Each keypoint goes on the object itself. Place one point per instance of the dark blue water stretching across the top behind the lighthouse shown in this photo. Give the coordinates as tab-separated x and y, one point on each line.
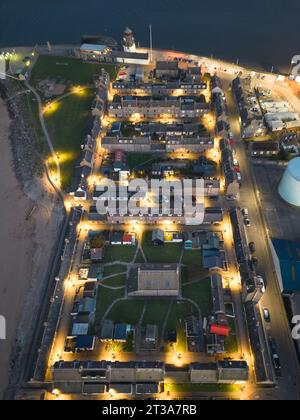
262	32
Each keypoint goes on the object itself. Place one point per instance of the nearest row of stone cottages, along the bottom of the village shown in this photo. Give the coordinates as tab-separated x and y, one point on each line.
69	376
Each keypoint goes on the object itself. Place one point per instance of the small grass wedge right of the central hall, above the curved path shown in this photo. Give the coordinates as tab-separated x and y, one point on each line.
200	293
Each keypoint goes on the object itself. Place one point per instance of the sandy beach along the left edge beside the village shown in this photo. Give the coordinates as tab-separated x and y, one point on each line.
29	226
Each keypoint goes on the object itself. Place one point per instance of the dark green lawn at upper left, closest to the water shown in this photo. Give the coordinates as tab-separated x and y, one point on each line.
68	70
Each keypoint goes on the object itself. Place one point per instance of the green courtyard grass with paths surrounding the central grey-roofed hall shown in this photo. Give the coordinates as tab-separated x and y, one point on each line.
167	314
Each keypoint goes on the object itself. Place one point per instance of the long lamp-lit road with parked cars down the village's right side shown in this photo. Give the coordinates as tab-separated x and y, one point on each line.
279	329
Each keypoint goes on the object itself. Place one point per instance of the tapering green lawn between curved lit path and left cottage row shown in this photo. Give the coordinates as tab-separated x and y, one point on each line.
67	127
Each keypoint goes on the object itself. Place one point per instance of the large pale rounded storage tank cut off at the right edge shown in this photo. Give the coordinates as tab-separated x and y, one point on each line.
289	187
